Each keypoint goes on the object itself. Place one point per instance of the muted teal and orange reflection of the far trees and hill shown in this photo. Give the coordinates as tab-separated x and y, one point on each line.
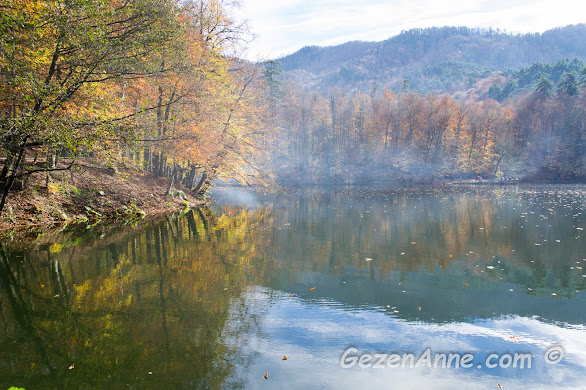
458	251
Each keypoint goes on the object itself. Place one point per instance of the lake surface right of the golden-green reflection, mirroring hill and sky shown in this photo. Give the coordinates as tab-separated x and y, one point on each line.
487	265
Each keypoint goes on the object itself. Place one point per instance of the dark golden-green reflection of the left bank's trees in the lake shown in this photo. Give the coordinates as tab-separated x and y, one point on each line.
145	307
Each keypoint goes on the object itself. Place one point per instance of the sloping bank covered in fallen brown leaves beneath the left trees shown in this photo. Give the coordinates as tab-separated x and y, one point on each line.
90	193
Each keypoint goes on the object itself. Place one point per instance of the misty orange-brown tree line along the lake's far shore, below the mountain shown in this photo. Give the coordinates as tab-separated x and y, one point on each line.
382	135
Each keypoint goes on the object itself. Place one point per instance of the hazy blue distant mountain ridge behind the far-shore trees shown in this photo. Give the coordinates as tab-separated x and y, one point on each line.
439	59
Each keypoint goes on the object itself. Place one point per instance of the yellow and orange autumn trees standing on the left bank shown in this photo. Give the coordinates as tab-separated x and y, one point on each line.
153	85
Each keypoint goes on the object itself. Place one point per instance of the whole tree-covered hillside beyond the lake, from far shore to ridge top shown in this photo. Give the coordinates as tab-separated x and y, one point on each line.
447	103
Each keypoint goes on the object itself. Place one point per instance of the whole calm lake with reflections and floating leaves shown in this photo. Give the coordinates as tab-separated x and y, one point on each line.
338	288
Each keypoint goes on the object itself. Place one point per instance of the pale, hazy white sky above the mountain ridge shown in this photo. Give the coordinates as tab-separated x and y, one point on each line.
284	26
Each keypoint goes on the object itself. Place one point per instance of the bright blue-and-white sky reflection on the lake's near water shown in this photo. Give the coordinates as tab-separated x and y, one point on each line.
314	334
